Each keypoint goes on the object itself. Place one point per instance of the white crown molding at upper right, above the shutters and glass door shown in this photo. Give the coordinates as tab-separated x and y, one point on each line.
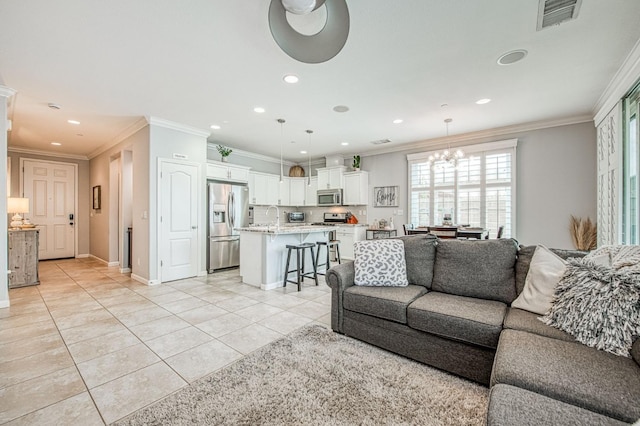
624	79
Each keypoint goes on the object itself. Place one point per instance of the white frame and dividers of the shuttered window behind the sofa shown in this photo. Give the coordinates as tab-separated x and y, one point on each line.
483	149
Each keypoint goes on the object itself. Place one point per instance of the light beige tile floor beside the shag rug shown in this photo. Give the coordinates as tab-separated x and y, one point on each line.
90	346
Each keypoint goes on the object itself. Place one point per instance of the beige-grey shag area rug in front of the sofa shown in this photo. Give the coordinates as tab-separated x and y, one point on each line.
317	377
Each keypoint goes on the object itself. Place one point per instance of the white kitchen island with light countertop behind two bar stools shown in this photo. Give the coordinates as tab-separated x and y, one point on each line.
263	252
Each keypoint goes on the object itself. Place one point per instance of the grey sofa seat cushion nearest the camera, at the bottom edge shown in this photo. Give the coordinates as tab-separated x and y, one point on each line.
509	405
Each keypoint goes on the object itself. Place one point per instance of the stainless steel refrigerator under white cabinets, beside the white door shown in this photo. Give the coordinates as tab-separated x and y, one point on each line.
228	208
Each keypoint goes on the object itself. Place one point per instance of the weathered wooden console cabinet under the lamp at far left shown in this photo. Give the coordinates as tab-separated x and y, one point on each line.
23	257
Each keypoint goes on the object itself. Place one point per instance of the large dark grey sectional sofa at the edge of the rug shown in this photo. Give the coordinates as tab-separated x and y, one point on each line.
455	315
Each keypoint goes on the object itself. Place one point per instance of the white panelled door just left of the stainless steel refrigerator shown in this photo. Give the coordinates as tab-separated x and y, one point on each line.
178	221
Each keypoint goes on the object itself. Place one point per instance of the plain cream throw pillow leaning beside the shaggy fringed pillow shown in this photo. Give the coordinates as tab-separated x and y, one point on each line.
544	274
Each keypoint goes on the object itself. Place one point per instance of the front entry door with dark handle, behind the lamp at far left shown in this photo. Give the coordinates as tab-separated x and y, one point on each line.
50	188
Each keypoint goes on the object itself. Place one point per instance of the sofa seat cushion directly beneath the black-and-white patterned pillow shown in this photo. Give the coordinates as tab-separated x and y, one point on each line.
383	302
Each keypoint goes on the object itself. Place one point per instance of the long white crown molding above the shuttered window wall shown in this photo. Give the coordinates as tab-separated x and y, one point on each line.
480	136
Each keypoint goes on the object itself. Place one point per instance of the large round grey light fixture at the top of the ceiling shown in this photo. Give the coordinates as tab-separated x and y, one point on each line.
310	49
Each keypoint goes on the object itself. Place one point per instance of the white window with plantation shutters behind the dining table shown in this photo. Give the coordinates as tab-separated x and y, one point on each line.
479	191
